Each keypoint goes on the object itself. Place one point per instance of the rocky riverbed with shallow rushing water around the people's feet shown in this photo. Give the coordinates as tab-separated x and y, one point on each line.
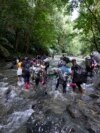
34	111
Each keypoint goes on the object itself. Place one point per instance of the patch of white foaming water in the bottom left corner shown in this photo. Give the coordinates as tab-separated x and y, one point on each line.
16	121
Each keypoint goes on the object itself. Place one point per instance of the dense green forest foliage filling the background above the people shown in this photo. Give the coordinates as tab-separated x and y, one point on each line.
41	26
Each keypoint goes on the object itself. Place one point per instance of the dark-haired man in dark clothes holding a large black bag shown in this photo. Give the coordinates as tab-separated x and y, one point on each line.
78	76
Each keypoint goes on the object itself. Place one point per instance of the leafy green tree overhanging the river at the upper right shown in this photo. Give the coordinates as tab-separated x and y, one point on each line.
88	23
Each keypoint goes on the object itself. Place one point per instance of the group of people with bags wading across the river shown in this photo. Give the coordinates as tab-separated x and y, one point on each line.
36	71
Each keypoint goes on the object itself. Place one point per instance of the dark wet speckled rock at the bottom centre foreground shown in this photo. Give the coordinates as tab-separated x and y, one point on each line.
53	124
